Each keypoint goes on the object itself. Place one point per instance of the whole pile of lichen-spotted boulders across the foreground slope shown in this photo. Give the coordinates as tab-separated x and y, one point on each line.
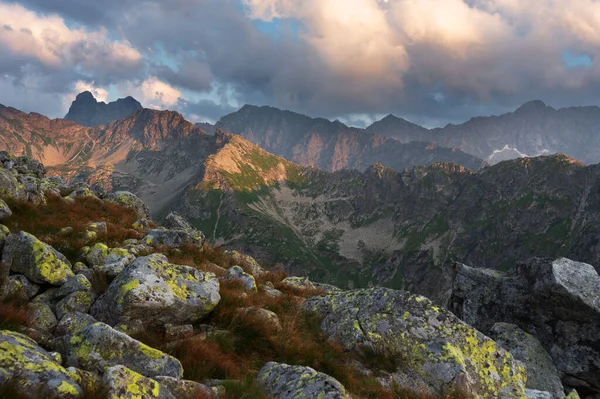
82	339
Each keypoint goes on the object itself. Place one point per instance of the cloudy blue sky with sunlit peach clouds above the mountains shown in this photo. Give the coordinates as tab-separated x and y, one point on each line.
432	62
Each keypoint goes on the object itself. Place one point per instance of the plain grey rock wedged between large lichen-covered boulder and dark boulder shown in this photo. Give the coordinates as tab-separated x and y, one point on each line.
541	372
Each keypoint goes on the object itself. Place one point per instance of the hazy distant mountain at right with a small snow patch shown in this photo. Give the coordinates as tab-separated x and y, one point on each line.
533	129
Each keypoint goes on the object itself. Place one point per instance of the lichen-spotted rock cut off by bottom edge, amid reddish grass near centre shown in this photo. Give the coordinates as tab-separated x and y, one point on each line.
282	381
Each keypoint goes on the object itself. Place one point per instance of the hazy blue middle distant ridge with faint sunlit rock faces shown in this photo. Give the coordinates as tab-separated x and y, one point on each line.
333	146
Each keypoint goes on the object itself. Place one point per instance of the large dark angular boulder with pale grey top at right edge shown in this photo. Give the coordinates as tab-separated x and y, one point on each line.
556	301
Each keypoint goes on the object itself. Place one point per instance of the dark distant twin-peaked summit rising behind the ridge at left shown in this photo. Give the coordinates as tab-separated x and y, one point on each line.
87	111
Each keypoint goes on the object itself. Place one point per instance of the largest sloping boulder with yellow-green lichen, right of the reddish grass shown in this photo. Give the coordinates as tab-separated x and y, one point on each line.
436	353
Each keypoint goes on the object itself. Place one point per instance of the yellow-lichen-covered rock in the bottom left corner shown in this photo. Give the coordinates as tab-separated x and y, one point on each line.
34	369
